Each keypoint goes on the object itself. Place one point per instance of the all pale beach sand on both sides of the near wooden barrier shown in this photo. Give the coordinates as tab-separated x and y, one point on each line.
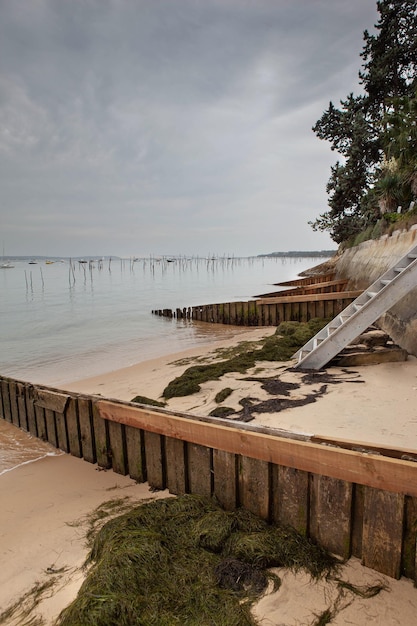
45	502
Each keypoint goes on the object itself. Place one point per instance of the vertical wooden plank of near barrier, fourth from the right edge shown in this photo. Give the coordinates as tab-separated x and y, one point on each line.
290	497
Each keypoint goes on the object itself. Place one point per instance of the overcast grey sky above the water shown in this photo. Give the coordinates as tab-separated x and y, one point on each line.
137	127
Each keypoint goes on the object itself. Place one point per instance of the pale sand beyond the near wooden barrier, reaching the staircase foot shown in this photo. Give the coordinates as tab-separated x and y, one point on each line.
369	404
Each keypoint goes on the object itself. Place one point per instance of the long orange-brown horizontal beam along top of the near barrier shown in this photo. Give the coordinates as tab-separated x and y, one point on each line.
395	475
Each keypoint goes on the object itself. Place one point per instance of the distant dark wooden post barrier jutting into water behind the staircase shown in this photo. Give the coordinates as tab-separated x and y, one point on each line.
268	311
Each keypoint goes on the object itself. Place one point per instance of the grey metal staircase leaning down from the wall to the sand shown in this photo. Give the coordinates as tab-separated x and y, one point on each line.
378	298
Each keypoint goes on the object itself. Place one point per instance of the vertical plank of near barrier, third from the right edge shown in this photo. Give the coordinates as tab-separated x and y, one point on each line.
330	514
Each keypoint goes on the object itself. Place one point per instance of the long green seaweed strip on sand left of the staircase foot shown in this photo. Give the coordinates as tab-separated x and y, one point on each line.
287	339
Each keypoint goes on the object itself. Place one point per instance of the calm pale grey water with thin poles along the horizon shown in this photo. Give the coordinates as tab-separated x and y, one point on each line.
60	322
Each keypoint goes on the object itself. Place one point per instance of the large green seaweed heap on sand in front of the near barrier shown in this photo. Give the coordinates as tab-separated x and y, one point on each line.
185	560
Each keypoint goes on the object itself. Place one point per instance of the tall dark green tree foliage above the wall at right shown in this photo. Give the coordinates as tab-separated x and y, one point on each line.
375	133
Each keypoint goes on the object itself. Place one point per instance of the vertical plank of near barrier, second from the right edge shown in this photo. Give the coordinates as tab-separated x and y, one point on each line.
383	531
